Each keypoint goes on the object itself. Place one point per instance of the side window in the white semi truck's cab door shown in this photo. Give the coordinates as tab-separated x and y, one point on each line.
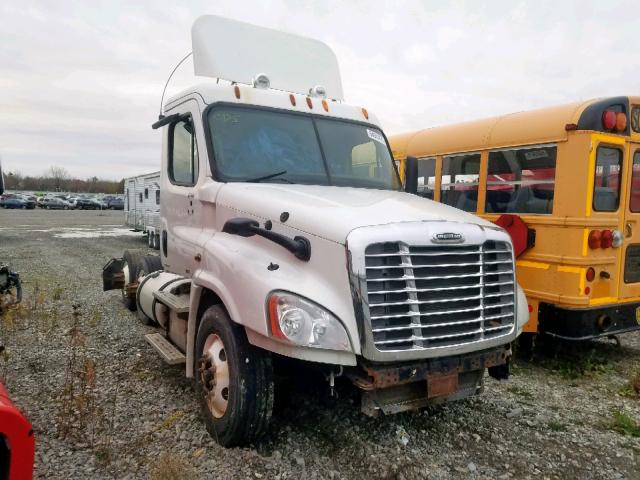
183	154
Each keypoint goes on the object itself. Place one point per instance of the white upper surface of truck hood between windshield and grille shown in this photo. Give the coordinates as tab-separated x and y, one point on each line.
333	212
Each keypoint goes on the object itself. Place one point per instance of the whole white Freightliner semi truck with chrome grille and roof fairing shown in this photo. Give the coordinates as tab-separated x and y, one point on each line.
285	232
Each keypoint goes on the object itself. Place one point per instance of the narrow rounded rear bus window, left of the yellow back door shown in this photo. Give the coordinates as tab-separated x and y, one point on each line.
606	187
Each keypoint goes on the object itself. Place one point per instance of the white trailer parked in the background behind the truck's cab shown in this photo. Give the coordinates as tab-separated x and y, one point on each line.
142	206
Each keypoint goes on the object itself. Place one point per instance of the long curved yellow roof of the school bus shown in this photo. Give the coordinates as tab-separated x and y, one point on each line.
521	128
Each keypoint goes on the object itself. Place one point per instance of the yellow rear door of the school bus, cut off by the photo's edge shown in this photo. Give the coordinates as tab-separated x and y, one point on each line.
630	271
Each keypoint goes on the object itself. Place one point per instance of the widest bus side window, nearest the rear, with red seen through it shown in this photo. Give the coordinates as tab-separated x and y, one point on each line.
521	180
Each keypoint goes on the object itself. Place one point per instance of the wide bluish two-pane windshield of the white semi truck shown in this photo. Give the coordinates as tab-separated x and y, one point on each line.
251	144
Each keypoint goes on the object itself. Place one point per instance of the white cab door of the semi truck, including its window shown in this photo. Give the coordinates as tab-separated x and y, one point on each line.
181	222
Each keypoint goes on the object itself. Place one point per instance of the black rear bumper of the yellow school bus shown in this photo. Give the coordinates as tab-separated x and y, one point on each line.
587	324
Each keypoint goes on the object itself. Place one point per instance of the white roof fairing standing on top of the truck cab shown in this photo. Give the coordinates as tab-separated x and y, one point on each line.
238	51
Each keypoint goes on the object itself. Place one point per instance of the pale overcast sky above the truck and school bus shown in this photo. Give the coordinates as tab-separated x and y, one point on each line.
80	82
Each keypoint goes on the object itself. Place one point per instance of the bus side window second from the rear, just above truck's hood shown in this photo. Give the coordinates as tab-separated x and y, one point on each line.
460	175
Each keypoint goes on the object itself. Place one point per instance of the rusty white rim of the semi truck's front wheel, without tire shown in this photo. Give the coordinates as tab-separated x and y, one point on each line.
214	375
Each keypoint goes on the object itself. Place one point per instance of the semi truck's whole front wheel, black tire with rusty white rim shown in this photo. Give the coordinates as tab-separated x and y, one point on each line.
234	380
